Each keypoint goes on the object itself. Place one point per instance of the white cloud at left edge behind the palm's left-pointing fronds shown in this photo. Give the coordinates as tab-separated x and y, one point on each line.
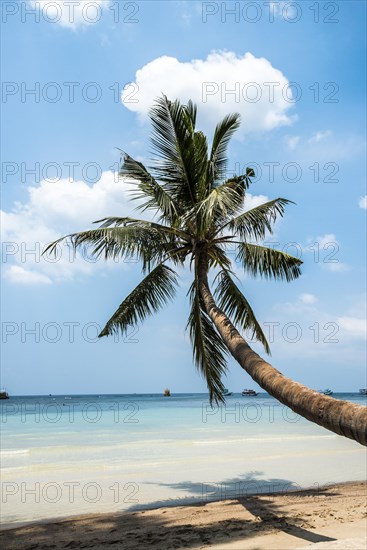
54	209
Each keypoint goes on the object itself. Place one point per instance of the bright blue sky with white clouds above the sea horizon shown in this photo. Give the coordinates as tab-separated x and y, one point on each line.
311	134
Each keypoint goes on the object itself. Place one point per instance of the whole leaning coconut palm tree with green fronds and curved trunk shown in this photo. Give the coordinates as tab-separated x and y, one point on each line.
197	217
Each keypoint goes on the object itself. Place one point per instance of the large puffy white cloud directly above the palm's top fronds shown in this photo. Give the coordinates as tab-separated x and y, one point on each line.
222	83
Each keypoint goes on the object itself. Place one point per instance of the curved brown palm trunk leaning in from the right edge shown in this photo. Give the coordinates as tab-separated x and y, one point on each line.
342	417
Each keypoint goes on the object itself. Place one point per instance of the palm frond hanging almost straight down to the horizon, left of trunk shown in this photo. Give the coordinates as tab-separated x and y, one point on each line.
209	351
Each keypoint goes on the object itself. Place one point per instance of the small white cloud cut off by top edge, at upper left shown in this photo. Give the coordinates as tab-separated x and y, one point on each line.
71	13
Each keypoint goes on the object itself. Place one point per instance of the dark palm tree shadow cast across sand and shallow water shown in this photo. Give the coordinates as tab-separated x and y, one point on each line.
252	510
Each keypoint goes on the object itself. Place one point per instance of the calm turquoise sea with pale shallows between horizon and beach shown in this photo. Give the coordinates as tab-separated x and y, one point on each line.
76	454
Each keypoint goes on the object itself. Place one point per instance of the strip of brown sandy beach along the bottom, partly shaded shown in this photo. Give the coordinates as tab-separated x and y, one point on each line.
331	517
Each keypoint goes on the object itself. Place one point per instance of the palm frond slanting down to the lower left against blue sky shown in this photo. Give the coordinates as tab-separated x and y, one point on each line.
154	291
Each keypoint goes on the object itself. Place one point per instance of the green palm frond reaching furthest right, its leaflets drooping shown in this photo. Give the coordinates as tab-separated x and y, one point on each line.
268	263
